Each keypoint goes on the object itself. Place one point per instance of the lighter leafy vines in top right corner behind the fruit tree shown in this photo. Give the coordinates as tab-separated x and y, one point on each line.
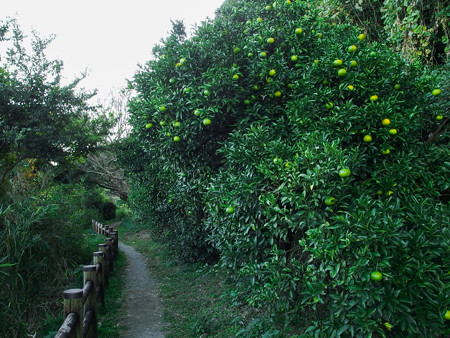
417	28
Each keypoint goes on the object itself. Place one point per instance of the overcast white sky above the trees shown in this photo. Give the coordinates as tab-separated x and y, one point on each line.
106	37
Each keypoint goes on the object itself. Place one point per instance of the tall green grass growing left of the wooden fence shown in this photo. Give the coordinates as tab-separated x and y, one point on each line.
41	242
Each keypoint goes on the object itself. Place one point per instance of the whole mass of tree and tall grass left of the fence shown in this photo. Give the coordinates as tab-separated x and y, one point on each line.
44	203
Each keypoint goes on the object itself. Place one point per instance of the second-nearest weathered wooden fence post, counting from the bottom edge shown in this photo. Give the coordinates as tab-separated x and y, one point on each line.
90	301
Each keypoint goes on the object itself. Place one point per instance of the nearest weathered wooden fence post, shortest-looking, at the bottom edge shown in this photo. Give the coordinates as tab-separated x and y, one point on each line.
73	314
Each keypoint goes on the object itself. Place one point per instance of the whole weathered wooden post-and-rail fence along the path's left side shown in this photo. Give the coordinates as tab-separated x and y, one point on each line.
80	305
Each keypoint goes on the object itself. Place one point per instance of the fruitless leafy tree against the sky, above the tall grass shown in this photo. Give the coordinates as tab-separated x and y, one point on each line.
39	117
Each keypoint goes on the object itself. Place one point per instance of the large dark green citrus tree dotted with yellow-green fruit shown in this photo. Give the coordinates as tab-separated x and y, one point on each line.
313	162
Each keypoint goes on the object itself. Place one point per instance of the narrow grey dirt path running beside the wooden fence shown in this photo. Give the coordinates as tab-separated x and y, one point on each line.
143	307
